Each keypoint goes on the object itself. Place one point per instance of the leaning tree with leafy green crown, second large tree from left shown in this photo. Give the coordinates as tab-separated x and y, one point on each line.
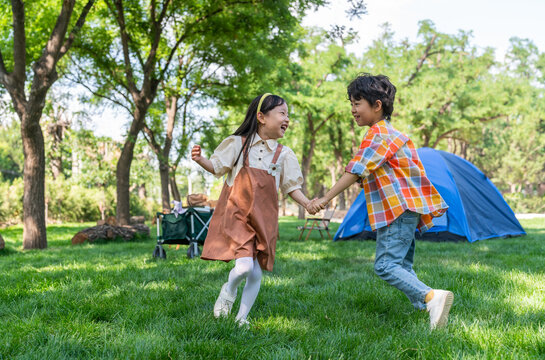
129	67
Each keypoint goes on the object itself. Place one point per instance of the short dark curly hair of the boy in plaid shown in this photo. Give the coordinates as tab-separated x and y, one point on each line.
373	88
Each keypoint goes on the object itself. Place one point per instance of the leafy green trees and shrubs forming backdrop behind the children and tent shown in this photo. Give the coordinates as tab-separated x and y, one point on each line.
188	77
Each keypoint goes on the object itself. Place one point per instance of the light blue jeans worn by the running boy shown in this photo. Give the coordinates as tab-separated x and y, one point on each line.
394	258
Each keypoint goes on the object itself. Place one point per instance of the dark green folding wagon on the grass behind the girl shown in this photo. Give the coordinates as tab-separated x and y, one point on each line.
188	227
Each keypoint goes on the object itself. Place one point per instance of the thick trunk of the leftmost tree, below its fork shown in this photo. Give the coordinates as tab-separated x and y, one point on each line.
34	230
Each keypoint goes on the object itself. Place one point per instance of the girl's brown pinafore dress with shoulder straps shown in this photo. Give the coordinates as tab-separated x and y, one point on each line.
245	221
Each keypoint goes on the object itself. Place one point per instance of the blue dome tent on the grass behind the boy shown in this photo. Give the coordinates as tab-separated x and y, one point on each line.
476	211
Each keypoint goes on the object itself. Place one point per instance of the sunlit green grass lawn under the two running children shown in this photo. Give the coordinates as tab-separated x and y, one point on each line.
112	300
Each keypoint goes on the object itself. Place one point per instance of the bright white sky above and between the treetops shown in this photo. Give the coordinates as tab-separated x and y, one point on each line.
493	23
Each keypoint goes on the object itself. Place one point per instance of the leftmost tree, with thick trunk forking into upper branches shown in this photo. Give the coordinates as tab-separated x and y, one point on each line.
15	66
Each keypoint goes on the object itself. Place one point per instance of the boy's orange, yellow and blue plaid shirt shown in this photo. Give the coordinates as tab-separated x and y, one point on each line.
394	179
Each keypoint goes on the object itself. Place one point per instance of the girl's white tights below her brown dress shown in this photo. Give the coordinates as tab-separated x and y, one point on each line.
249	269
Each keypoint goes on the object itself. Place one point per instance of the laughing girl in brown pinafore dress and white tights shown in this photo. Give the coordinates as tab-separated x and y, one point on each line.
244	225
